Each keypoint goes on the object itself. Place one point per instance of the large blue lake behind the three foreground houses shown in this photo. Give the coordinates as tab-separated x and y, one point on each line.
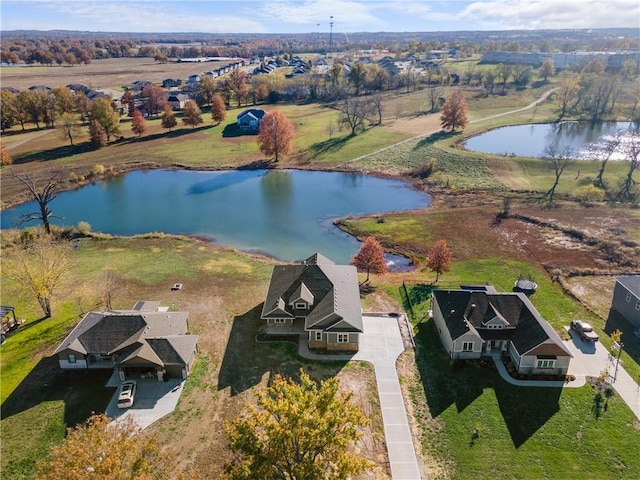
287	214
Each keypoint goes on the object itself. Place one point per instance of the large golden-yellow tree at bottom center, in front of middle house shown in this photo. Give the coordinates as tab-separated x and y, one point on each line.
297	431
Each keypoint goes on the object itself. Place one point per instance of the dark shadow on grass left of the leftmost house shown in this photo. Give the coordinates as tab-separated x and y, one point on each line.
83	392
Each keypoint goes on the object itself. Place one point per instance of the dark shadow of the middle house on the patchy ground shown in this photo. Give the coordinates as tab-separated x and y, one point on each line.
246	362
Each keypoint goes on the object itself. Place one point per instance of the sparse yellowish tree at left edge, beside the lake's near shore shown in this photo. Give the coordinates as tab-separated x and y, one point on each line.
37	264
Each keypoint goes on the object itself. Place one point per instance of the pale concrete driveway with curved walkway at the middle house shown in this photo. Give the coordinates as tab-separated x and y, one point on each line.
381	344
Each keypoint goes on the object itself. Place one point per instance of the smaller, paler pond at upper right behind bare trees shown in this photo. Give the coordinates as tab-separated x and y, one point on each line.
579	140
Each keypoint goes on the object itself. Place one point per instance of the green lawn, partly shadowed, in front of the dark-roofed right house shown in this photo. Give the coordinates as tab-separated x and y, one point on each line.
524	433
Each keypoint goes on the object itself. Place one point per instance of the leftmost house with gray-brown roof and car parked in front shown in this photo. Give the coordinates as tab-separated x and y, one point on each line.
146	341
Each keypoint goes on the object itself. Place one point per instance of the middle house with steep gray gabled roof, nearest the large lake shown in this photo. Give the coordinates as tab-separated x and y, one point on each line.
317	299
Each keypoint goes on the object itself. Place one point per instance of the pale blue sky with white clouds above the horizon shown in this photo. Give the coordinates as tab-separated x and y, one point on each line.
311	16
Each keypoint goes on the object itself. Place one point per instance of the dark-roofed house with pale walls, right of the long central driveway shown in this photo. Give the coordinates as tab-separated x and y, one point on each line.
481	322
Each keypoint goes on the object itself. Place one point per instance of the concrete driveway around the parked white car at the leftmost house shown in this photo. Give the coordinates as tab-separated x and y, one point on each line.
153	401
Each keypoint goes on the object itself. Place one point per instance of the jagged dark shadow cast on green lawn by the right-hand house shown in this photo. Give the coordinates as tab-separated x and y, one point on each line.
524	409
